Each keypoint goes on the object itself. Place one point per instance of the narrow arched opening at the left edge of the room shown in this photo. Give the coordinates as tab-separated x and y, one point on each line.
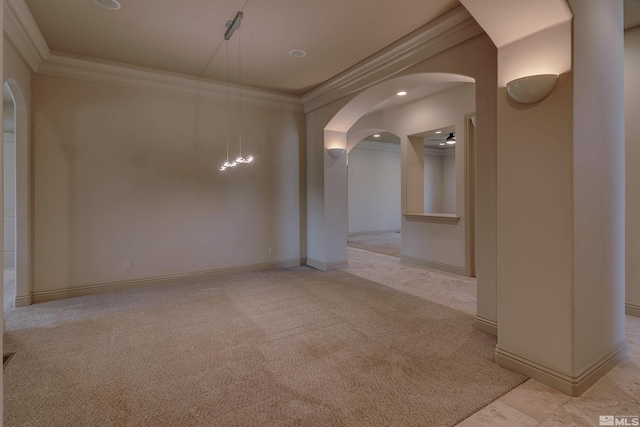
17	213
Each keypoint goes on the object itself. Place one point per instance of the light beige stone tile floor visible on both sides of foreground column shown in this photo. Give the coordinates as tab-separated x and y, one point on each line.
532	403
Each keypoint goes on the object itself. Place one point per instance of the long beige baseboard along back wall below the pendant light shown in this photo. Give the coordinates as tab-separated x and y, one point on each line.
44	296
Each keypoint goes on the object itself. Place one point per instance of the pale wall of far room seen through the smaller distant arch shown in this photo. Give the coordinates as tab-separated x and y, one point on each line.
374	187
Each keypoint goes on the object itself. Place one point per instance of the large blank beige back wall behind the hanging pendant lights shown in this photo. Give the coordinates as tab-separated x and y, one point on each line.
131	174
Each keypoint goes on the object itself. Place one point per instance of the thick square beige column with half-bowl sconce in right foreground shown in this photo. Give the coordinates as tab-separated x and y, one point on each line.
561	208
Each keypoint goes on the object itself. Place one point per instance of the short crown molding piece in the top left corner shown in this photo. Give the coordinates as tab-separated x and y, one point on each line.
23	34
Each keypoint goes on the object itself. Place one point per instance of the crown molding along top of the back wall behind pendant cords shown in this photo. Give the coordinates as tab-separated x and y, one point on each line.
61	65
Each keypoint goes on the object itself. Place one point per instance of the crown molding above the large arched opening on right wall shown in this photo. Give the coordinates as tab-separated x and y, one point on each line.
452	28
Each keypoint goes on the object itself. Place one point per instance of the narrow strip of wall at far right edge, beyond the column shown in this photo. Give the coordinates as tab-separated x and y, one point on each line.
632	156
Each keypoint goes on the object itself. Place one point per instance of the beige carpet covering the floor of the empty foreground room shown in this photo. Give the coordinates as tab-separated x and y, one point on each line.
278	348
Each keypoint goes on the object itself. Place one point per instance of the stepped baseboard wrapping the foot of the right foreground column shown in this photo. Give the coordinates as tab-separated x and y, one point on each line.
573	385
